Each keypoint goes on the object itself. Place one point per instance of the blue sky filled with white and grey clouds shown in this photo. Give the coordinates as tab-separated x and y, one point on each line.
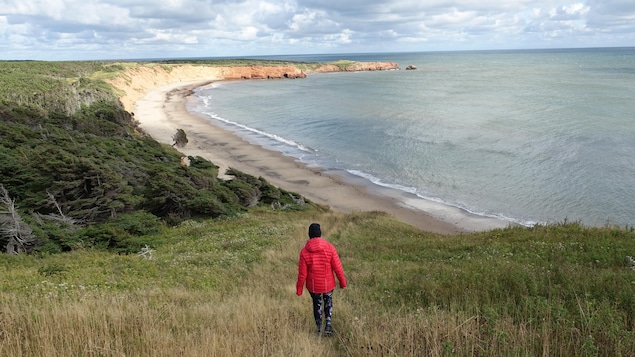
135	29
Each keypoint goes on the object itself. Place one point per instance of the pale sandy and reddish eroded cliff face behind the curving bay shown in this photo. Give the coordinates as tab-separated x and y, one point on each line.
136	82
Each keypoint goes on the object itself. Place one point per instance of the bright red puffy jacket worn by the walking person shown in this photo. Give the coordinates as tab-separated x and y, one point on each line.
318	261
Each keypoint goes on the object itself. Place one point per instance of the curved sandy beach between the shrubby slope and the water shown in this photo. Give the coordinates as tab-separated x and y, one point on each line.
163	110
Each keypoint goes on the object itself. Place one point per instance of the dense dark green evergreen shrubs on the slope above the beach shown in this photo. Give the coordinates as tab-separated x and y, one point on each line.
96	167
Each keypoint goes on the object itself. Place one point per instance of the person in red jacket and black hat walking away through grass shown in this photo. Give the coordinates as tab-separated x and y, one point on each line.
318	261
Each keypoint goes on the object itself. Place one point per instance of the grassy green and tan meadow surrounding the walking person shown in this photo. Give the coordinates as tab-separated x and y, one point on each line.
227	287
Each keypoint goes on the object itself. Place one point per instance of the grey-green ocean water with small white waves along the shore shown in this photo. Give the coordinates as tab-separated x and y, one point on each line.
525	136
